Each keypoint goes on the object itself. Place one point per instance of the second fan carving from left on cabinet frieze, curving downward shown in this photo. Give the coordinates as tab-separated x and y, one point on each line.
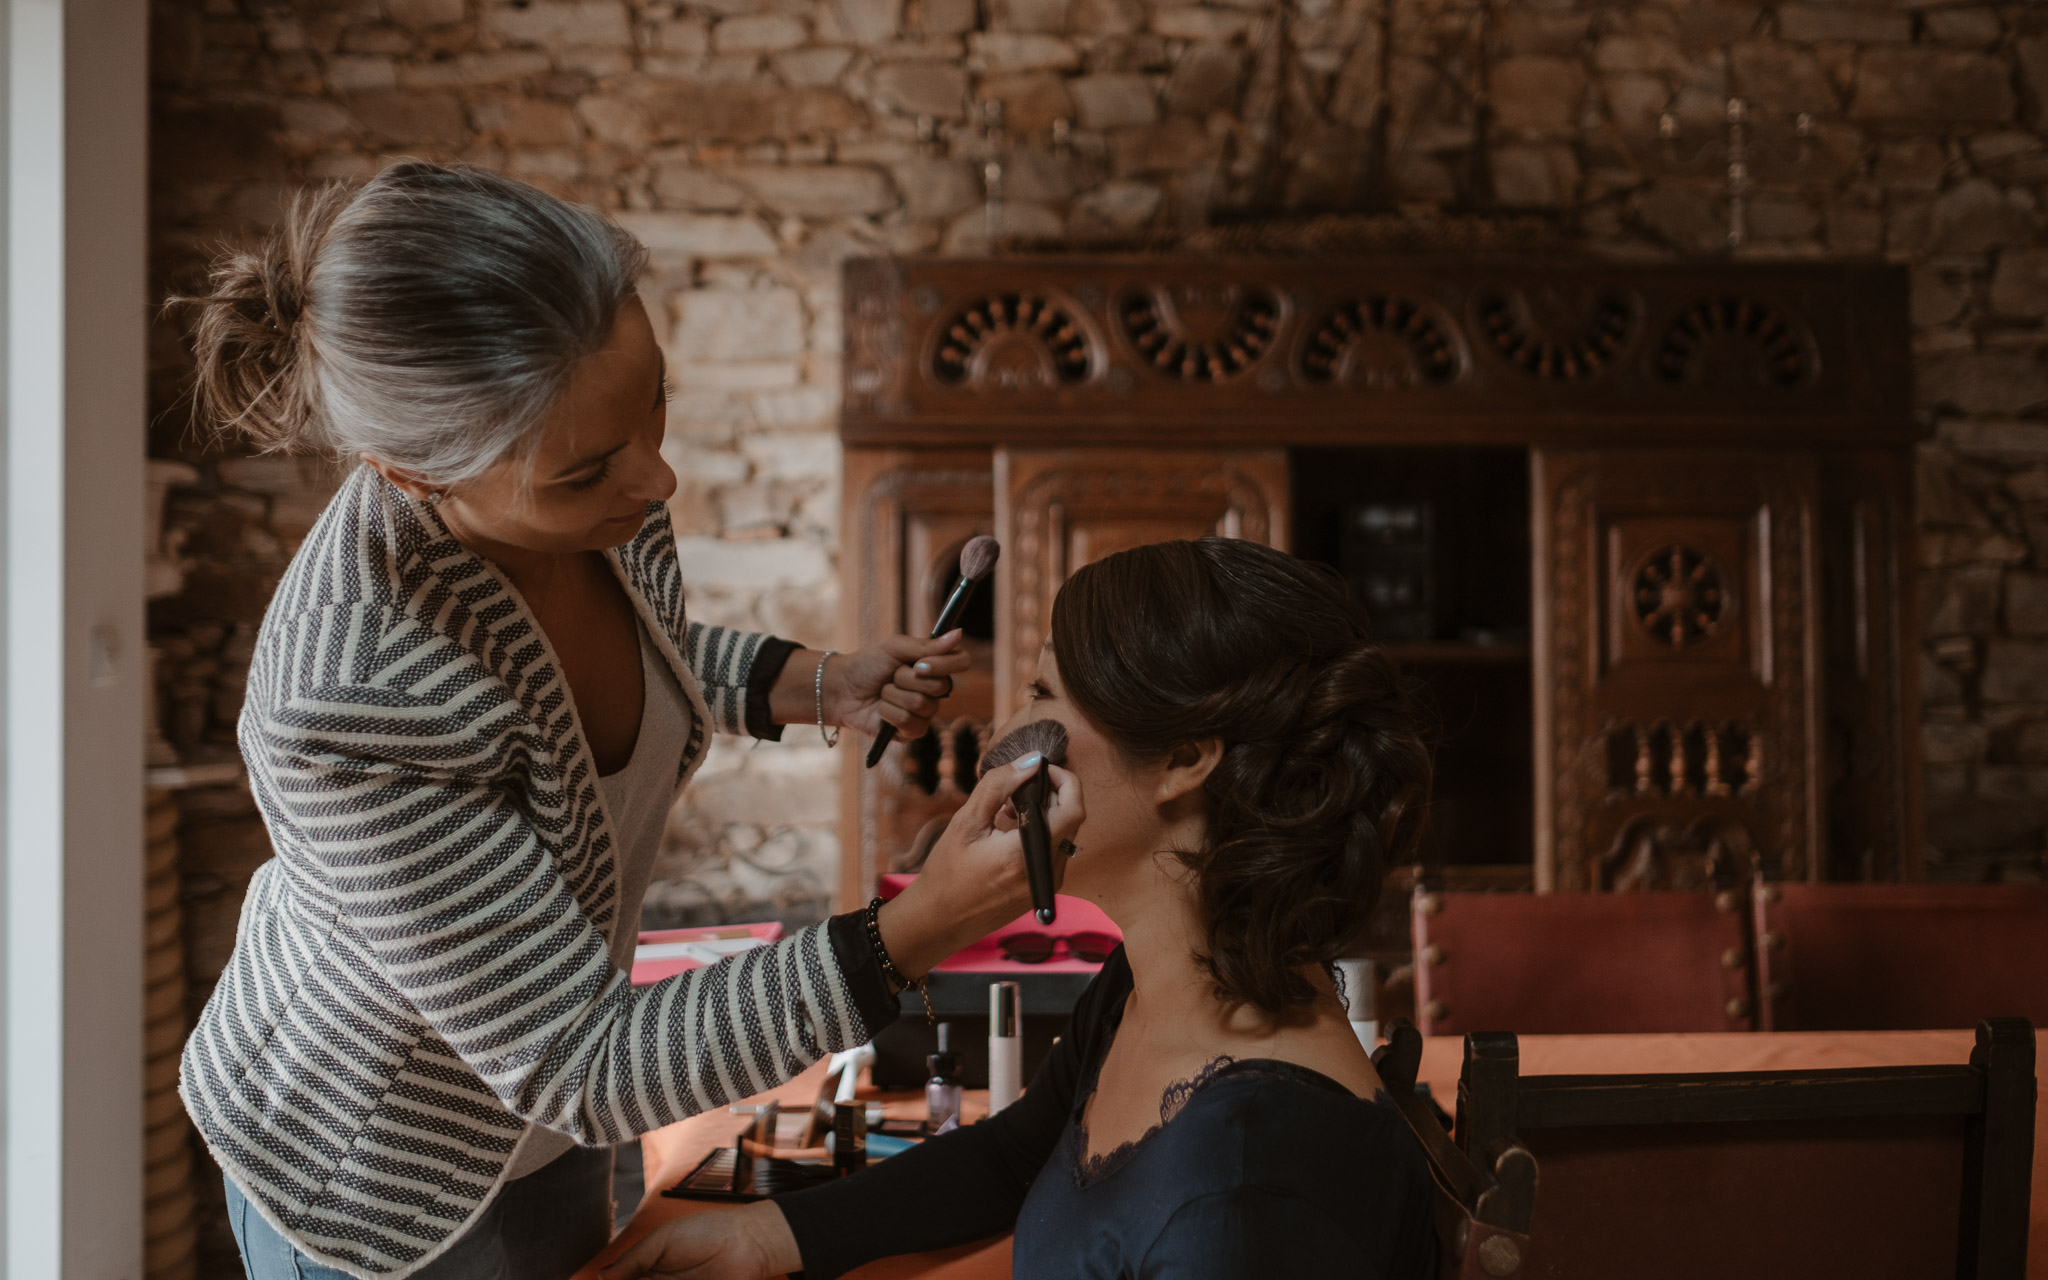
1199	333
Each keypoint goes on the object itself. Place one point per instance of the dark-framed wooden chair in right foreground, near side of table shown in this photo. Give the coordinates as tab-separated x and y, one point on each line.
1900	1172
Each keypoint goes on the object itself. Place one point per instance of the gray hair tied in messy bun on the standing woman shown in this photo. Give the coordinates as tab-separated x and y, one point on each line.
429	318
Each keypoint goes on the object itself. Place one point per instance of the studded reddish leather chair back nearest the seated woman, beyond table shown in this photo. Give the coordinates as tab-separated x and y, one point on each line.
1568	964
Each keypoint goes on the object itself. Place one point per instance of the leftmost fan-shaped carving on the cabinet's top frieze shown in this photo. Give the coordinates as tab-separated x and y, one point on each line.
1015	341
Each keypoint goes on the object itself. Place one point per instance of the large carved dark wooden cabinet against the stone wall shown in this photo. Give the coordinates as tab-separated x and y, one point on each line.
1670	523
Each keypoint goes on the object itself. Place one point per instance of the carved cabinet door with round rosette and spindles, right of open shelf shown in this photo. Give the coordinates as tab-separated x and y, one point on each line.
1676	669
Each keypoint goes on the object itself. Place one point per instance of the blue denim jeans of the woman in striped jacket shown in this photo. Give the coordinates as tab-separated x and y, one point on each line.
538	1228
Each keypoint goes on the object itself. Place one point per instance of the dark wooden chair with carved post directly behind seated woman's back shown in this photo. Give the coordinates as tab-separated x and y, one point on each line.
1482	1205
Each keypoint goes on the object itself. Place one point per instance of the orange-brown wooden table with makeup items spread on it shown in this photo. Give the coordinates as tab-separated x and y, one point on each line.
677	1150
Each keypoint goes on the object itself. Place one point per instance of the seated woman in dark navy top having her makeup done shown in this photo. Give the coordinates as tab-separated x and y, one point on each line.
1250	767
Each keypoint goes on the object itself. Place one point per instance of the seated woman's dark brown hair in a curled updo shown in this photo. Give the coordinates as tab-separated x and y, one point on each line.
1324	777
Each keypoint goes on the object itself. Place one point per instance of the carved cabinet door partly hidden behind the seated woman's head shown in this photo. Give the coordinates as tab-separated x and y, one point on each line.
1062	509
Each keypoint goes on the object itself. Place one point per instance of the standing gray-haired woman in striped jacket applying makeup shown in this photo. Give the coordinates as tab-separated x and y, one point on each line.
472	706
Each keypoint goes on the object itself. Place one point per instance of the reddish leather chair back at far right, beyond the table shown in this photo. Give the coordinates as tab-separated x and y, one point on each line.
1902	957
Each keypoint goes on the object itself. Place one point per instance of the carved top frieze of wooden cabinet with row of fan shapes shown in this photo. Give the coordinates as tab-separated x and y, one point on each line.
1132	351
